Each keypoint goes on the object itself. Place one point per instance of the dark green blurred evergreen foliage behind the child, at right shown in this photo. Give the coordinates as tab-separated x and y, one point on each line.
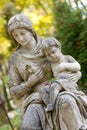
71	31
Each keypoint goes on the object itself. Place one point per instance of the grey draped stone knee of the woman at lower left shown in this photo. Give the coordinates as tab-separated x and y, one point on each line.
31	120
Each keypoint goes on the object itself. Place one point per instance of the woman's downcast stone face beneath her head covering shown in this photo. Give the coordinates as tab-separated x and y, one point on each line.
22	36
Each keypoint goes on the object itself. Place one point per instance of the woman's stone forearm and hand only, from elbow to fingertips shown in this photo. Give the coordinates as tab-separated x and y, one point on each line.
23	88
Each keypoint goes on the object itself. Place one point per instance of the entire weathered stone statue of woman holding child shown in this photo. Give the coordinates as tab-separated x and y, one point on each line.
30	71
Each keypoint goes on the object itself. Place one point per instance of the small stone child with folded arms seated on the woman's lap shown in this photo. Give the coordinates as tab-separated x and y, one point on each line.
66	70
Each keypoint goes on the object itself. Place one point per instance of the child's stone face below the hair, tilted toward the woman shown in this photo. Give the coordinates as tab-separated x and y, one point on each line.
52	53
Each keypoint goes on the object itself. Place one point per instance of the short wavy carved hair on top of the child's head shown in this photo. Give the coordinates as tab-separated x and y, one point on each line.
51	41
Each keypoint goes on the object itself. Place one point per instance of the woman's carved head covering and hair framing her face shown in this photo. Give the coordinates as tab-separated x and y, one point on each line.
20	20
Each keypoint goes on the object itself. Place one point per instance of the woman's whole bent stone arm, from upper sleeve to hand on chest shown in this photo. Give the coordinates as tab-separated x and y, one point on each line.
18	87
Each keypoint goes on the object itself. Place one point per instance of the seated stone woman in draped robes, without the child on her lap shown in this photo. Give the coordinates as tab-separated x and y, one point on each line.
28	70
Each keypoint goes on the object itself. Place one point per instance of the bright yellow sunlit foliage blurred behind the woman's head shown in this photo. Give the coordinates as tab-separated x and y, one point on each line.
39	11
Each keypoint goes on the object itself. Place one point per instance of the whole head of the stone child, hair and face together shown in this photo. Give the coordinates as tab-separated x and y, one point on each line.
52	49
